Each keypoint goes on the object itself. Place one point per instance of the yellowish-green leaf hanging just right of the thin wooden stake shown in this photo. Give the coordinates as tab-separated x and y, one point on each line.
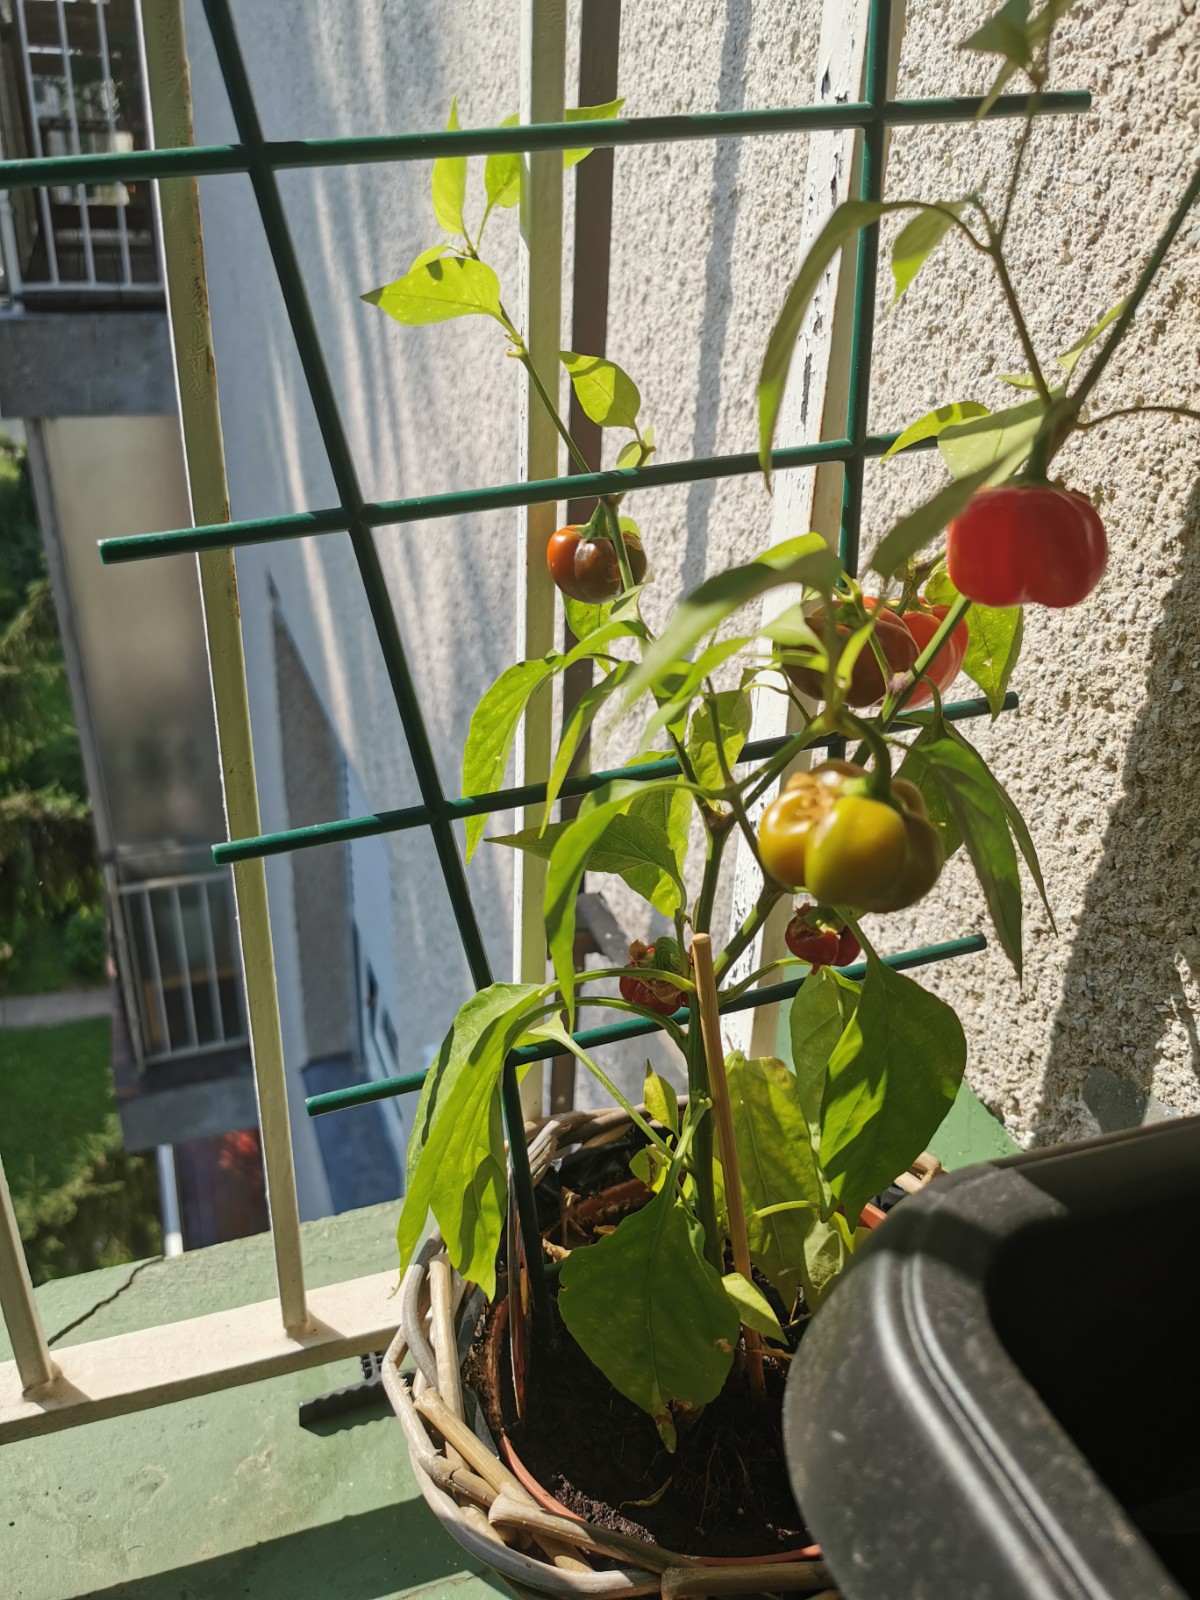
777	1162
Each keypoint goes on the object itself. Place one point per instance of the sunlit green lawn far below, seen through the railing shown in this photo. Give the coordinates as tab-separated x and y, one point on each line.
81	1201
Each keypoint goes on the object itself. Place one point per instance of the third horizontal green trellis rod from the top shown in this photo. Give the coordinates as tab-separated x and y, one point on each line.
404	818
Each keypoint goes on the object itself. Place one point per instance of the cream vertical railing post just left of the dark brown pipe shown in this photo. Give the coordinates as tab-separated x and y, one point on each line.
542	270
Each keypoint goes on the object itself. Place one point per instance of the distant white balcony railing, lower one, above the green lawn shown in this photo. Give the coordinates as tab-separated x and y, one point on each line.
186	977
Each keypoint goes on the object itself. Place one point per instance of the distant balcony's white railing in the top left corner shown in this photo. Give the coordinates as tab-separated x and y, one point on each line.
78	241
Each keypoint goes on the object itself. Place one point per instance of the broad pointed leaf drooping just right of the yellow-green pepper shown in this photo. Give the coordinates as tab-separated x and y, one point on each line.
970	794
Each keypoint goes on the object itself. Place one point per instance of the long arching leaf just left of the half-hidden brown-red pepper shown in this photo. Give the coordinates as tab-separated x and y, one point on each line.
802	561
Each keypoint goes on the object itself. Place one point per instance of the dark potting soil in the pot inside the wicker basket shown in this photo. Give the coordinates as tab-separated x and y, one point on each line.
724	1492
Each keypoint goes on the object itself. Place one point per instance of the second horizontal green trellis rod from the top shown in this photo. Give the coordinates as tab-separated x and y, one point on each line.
505	497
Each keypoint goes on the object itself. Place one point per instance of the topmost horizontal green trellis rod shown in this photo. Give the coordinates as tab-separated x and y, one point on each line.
204	161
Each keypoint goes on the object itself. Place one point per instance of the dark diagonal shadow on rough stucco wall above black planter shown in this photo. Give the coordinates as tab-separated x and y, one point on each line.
1138	938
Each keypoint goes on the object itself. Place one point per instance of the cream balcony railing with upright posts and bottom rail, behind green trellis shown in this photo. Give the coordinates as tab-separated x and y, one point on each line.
300	1327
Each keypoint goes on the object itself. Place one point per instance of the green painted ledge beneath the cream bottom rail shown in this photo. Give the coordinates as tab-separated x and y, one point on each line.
223	1497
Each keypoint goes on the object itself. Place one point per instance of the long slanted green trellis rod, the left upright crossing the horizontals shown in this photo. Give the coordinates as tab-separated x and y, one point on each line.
346	481
